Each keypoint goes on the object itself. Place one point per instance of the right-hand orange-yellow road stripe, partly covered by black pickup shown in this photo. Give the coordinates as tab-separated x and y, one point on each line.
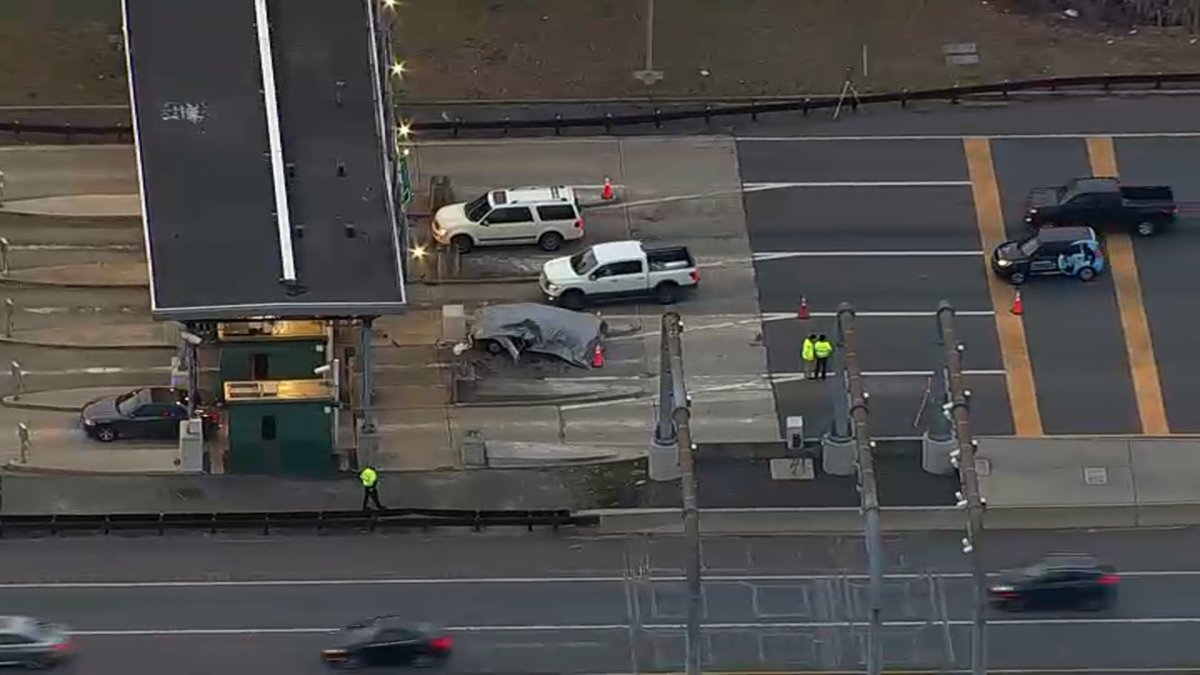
1139	345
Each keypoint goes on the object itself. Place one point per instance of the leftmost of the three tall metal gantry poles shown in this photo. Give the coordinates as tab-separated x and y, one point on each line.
682	421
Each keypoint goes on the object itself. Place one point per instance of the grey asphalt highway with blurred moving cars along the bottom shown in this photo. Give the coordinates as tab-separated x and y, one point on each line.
200	606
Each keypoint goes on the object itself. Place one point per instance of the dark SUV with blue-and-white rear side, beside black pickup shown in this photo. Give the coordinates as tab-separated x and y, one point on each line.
1052	252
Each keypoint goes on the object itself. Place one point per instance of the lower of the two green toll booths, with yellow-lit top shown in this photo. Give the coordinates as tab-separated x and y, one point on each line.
281	428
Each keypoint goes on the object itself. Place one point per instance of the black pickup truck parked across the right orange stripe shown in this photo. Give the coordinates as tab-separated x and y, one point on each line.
1101	204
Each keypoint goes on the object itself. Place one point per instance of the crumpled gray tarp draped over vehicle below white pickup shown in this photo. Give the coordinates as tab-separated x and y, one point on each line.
545	330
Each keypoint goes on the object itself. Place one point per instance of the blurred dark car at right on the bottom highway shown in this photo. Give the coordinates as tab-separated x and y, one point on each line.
1061	582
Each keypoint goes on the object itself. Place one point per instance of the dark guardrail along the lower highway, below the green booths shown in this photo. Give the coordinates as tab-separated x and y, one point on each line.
16	525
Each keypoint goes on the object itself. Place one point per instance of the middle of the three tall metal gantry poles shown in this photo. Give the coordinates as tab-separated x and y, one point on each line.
867	485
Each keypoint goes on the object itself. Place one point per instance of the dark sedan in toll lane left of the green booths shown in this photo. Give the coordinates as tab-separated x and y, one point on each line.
153	413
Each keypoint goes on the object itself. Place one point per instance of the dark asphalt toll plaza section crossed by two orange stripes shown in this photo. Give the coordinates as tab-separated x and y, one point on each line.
896	225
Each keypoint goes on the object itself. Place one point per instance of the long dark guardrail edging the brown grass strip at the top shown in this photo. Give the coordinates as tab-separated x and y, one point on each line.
707	112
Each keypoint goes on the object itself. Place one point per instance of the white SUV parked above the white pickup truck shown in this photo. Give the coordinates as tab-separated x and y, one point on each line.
547	217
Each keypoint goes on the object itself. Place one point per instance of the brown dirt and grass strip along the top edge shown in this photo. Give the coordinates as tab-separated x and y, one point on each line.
68	51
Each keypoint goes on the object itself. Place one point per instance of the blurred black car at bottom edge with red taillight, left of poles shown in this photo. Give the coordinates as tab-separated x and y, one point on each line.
389	642
